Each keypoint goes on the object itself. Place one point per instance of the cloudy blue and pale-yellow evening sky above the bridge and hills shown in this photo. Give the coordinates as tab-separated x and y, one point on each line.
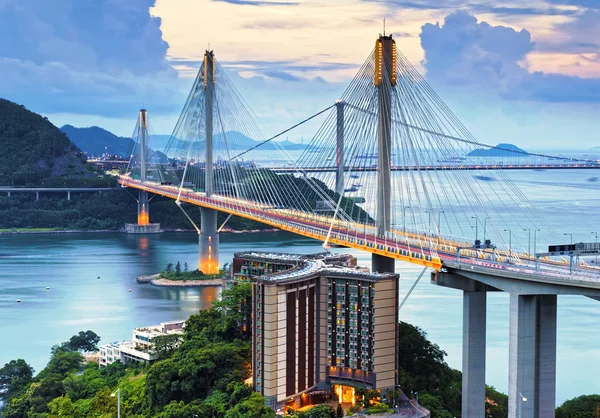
525	72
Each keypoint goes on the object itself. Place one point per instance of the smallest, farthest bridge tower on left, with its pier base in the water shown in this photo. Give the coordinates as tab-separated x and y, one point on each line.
143	225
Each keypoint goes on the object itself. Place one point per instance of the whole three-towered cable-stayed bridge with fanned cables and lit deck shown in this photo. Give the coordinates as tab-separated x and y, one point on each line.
466	224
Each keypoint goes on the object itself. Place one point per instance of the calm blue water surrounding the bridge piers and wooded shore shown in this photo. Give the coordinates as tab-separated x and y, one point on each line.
70	265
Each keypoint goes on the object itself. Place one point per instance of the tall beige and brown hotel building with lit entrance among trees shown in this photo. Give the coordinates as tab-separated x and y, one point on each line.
321	326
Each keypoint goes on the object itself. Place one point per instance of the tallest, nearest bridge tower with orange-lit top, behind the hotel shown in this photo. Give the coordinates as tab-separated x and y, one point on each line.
384	80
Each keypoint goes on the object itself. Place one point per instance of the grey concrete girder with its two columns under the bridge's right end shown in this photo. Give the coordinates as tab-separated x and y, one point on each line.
532	343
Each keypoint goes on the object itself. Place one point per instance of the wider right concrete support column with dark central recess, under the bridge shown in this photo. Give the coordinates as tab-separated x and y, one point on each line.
532	356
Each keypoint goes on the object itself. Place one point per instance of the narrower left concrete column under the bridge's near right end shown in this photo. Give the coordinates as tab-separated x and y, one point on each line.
473	366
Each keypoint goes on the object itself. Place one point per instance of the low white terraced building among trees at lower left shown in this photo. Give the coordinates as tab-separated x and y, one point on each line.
140	346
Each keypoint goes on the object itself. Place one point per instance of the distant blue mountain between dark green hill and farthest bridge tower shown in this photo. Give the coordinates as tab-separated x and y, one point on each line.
95	141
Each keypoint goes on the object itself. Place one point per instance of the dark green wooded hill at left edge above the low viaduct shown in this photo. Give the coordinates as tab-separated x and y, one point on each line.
34	150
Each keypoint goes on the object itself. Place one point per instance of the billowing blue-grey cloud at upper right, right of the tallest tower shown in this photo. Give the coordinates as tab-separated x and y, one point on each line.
465	52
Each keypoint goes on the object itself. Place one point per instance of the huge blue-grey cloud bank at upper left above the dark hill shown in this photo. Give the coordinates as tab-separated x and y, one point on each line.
105	57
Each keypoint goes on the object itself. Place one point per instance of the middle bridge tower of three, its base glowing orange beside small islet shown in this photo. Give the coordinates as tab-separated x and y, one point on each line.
208	257
